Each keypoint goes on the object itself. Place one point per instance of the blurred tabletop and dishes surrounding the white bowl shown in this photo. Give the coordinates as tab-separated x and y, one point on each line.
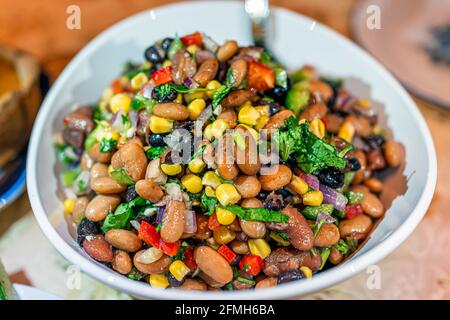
413	42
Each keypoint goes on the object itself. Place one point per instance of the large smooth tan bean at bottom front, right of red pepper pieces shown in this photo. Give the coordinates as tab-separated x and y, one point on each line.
213	265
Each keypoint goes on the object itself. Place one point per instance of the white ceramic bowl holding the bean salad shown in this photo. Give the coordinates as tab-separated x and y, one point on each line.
296	42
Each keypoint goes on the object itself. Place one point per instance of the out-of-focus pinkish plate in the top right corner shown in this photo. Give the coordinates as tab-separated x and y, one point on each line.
404	41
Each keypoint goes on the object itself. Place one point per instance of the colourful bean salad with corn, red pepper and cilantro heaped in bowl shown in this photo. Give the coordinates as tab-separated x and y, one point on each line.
210	167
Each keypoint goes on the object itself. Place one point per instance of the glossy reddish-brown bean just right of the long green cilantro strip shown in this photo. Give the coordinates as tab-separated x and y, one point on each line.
299	232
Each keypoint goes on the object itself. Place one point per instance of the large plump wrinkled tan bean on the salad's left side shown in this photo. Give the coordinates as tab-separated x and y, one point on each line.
131	157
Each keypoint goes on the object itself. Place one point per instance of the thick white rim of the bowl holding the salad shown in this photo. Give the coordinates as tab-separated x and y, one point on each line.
329	277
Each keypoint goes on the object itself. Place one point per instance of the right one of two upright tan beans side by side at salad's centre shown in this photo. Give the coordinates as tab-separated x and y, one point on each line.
247	159
